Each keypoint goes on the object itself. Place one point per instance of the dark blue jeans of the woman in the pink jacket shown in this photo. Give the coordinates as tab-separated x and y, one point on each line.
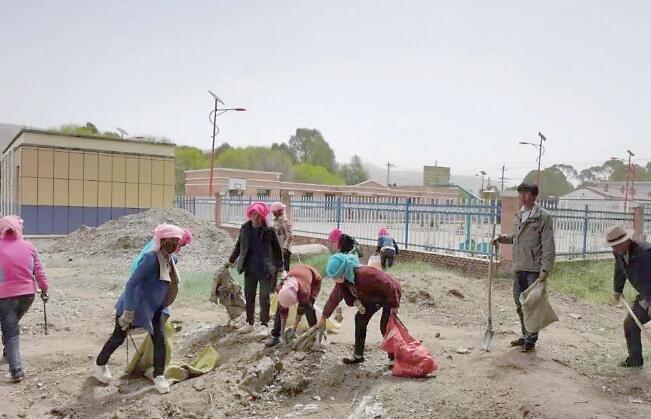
11	311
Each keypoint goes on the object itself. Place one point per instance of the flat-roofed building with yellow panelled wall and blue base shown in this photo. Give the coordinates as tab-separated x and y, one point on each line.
64	182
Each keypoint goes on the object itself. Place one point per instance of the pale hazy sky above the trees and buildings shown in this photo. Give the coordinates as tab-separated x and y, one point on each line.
412	83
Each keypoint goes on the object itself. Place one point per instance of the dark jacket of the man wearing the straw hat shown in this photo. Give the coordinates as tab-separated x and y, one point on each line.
637	271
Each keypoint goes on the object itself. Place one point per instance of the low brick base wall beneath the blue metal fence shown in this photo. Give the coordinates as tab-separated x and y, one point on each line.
469	266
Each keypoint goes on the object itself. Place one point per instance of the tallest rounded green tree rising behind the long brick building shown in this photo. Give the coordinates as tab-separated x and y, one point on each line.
309	146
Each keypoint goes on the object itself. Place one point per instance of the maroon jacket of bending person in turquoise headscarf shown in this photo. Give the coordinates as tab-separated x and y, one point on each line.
372	286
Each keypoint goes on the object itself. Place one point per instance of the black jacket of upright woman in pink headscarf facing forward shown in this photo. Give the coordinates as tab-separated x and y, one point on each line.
273	260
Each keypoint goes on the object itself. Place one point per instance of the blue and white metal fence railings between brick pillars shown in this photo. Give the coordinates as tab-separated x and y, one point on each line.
460	229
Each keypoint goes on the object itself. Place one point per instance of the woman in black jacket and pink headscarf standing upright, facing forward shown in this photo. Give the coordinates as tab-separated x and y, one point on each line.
260	258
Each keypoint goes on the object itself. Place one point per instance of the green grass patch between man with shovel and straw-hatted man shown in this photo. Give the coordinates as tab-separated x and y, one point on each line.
587	280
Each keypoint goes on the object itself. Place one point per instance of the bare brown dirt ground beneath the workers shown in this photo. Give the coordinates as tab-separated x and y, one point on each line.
572	374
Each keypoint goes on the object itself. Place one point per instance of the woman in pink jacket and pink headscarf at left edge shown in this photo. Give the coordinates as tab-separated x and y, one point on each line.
20	271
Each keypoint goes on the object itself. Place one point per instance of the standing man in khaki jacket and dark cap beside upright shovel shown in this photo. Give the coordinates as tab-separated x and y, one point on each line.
533	252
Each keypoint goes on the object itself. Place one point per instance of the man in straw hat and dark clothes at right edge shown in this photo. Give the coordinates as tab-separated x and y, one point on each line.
632	262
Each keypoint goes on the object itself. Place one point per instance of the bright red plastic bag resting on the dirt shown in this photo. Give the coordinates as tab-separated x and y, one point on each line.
412	359
